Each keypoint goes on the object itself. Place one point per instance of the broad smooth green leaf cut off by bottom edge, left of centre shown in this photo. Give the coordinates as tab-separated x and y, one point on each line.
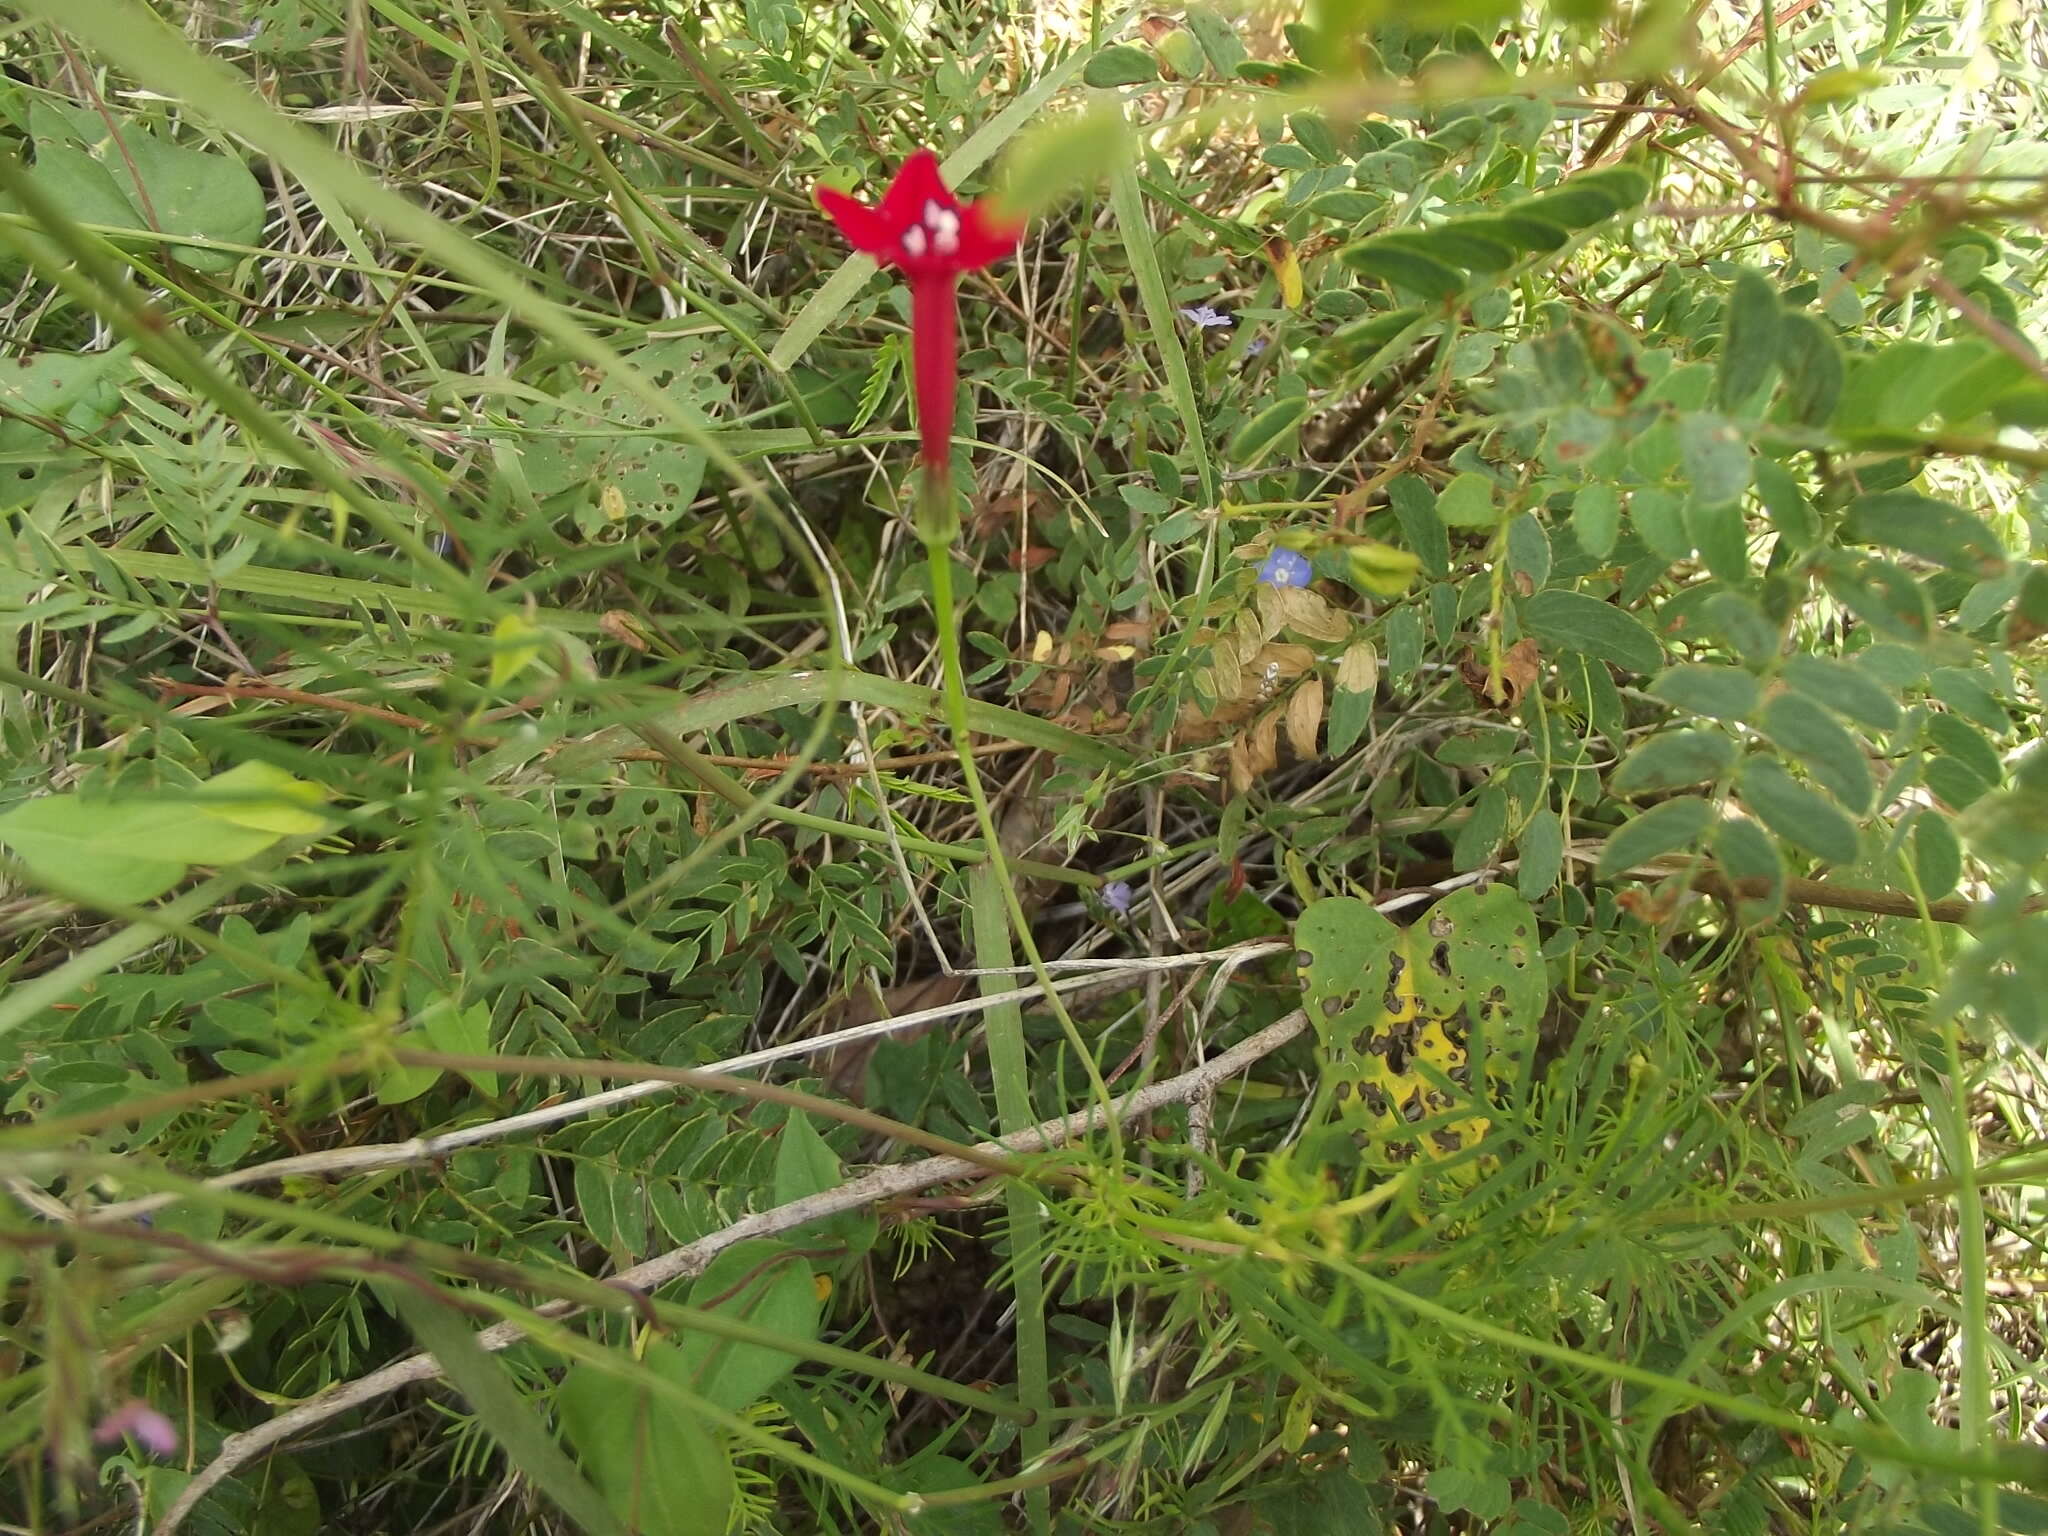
652	1461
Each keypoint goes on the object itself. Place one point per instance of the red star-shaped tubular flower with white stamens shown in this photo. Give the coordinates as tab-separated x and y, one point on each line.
931	237
